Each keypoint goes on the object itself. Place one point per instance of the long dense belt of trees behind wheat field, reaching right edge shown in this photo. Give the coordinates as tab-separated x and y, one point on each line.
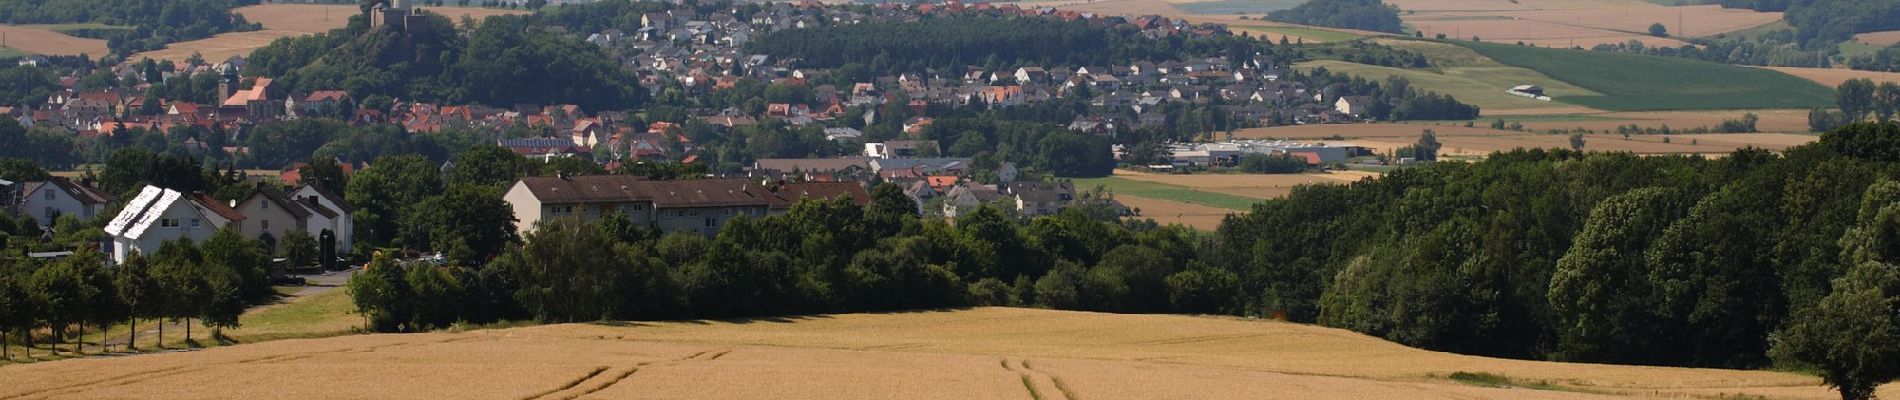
1749	261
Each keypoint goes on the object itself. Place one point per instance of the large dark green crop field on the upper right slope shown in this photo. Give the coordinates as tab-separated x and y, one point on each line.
1644	82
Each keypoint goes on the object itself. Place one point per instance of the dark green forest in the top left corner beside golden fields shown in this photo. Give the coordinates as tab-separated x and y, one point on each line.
134	26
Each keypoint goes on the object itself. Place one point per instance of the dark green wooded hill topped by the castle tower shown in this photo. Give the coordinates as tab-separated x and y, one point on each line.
499	62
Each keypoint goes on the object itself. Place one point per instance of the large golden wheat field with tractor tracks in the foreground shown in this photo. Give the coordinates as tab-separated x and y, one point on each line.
972	354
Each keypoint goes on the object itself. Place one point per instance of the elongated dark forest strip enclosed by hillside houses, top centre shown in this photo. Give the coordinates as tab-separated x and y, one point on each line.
949	45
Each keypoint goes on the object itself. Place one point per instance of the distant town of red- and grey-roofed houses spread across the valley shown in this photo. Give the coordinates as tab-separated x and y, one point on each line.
704	54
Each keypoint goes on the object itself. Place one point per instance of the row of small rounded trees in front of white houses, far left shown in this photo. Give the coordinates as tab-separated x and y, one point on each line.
212	283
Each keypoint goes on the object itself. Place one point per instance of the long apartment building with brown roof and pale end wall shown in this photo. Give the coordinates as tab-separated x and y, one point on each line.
668	206
